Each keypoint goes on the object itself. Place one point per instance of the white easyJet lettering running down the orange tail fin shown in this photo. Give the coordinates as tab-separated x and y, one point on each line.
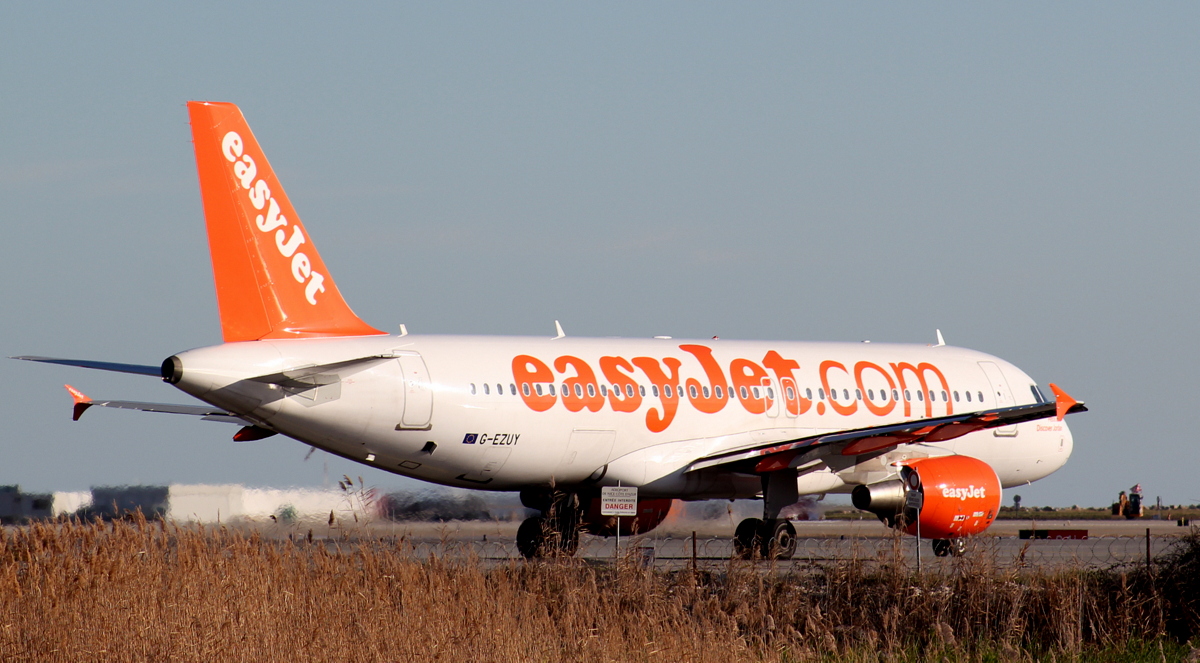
245	171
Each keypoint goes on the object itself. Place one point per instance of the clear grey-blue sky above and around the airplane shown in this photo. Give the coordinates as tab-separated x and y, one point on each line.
1023	177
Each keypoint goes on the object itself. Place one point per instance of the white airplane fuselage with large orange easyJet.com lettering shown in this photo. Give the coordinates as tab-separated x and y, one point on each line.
507	413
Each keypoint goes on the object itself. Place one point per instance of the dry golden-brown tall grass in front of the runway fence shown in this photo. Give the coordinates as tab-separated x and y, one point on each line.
152	592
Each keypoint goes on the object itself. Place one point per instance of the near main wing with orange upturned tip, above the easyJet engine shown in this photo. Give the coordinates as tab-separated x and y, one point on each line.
779	456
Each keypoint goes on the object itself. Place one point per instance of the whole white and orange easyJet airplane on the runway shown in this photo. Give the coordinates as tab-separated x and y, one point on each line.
923	437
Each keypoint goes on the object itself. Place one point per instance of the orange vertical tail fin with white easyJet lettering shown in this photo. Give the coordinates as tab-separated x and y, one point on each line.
272	284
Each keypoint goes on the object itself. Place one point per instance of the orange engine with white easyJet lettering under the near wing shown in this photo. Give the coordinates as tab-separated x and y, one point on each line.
947	497
